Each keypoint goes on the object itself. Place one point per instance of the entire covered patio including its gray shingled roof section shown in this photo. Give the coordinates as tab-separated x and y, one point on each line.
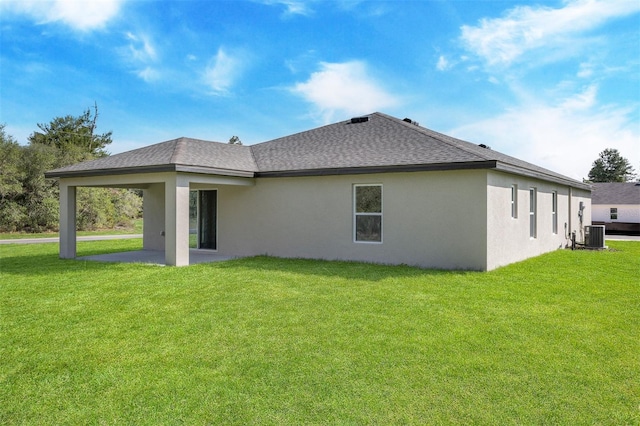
171	176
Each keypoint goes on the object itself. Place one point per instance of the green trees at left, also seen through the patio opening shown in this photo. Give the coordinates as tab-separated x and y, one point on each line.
29	202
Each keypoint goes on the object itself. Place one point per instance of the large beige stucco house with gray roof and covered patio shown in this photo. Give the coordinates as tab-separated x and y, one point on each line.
373	188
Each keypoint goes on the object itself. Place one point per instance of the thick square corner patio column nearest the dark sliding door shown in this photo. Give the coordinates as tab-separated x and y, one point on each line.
177	221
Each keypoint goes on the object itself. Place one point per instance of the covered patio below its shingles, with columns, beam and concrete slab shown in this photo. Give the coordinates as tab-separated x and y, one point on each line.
168	222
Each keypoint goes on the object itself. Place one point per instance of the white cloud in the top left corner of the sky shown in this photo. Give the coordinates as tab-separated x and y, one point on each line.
78	14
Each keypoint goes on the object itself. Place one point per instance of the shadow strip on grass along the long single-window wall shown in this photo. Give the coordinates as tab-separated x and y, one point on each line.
332	268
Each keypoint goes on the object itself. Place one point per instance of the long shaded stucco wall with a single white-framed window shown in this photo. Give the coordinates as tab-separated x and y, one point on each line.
430	219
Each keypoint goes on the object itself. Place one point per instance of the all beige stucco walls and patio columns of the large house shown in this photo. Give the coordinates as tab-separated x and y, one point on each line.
438	219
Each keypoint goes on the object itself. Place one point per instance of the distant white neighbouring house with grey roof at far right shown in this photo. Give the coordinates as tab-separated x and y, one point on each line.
617	207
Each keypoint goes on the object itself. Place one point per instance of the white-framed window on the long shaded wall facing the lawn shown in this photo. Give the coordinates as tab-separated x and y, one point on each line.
367	207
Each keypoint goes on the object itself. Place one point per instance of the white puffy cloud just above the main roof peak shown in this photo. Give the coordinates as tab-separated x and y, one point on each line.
344	88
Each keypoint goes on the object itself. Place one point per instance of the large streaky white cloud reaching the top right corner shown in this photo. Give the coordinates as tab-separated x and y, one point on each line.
501	41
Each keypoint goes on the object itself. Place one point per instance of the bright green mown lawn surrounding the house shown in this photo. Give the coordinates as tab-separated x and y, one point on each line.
552	340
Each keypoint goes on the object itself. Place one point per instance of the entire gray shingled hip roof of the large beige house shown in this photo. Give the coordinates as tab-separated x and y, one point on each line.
379	143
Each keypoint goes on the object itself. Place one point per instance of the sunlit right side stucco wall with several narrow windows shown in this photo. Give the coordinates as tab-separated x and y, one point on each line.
509	238
